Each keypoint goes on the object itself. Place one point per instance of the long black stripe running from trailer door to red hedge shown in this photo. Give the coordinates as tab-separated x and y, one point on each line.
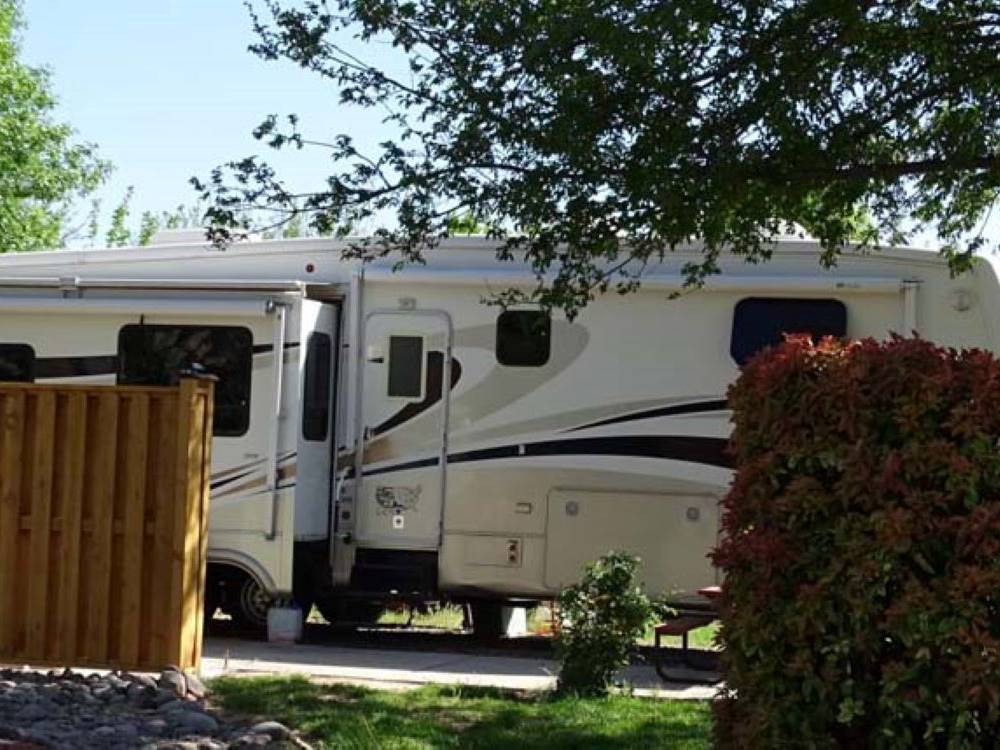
694	449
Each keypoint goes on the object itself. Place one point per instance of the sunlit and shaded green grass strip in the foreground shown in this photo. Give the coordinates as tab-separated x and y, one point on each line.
342	716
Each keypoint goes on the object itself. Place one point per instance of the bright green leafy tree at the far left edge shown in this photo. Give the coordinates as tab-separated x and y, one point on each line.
42	169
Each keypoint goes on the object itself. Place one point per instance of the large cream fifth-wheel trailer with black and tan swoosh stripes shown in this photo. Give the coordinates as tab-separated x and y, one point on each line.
386	435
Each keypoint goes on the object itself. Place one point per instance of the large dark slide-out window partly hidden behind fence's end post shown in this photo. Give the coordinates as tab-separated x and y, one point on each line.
156	355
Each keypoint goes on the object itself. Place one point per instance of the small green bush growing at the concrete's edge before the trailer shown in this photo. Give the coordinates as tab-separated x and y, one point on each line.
602	618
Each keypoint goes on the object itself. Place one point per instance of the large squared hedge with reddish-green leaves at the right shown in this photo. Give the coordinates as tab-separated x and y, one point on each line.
862	549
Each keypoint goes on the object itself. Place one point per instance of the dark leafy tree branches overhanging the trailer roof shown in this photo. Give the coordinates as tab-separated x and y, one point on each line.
595	137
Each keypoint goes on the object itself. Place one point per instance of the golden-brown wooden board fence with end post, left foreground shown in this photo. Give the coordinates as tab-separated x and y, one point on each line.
103	523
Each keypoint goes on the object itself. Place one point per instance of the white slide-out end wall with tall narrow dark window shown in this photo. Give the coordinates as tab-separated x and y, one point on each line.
318	336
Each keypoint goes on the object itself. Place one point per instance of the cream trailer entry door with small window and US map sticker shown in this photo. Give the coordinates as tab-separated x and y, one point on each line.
404	416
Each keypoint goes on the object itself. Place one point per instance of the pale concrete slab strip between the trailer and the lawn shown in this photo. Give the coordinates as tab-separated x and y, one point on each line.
396	669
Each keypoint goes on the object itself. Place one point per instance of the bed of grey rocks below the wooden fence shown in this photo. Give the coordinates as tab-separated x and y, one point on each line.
63	710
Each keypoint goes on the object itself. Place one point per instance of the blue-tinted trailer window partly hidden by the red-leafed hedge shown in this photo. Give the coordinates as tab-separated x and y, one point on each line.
760	322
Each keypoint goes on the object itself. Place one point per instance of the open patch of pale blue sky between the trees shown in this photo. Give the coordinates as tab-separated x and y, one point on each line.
167	89
